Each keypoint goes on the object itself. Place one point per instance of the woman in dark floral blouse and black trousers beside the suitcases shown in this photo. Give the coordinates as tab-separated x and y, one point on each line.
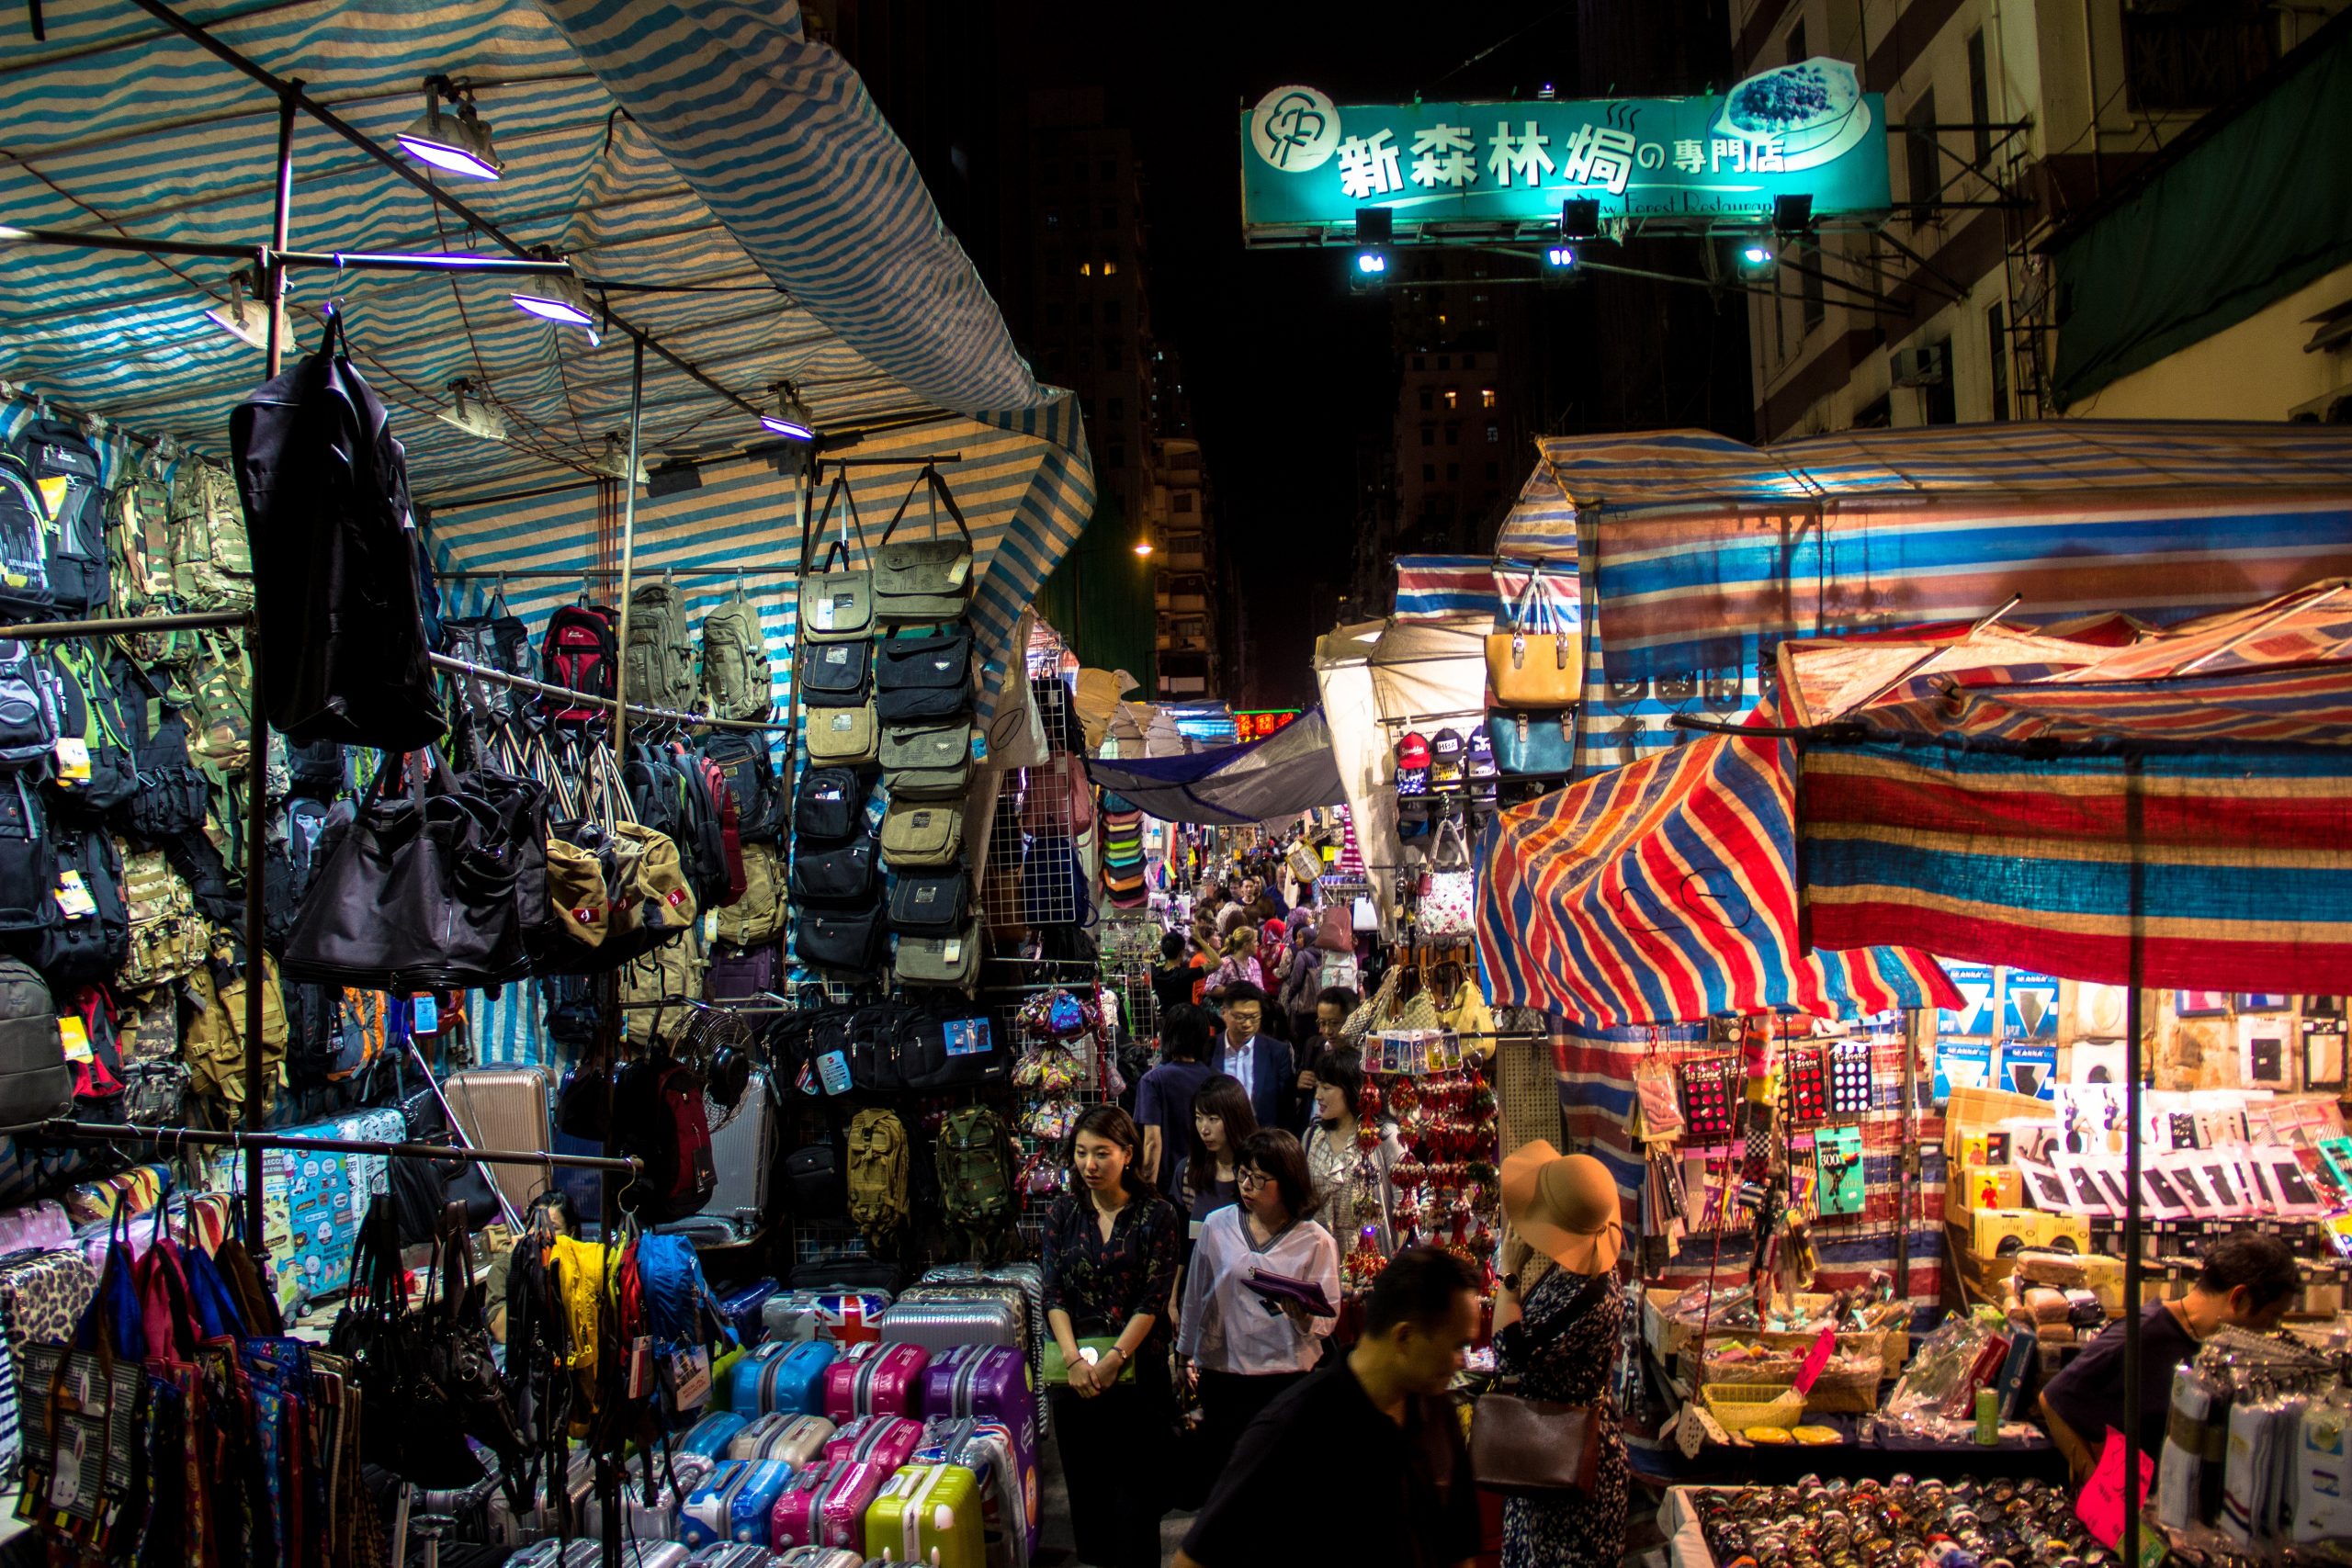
1109	1273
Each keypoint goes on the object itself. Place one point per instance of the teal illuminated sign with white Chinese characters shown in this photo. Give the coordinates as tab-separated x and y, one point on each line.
1314	168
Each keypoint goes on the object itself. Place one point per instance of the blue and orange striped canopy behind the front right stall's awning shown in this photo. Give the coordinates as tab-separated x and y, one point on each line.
1702	554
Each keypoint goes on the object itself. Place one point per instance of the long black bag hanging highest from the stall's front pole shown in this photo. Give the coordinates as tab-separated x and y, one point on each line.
335	570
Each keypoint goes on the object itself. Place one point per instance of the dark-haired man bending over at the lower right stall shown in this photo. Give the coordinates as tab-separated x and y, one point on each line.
2247	1282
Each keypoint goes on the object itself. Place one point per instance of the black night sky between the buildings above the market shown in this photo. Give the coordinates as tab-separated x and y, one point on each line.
1285	368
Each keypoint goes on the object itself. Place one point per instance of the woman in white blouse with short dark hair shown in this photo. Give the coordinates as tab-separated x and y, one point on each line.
1243	1348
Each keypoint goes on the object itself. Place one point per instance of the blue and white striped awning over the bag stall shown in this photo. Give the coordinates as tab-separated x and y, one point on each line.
719	180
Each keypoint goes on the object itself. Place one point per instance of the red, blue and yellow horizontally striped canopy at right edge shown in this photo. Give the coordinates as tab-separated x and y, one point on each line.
1996	819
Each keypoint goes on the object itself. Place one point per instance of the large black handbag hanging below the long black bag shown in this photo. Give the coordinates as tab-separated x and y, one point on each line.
422	890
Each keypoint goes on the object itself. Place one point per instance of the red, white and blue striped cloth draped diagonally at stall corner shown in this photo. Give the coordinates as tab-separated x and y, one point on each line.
1664	892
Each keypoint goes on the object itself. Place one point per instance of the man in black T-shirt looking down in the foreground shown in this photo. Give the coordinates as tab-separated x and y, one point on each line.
1365	1461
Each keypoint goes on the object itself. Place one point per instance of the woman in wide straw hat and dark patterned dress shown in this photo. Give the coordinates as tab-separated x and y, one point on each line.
1558	1322
